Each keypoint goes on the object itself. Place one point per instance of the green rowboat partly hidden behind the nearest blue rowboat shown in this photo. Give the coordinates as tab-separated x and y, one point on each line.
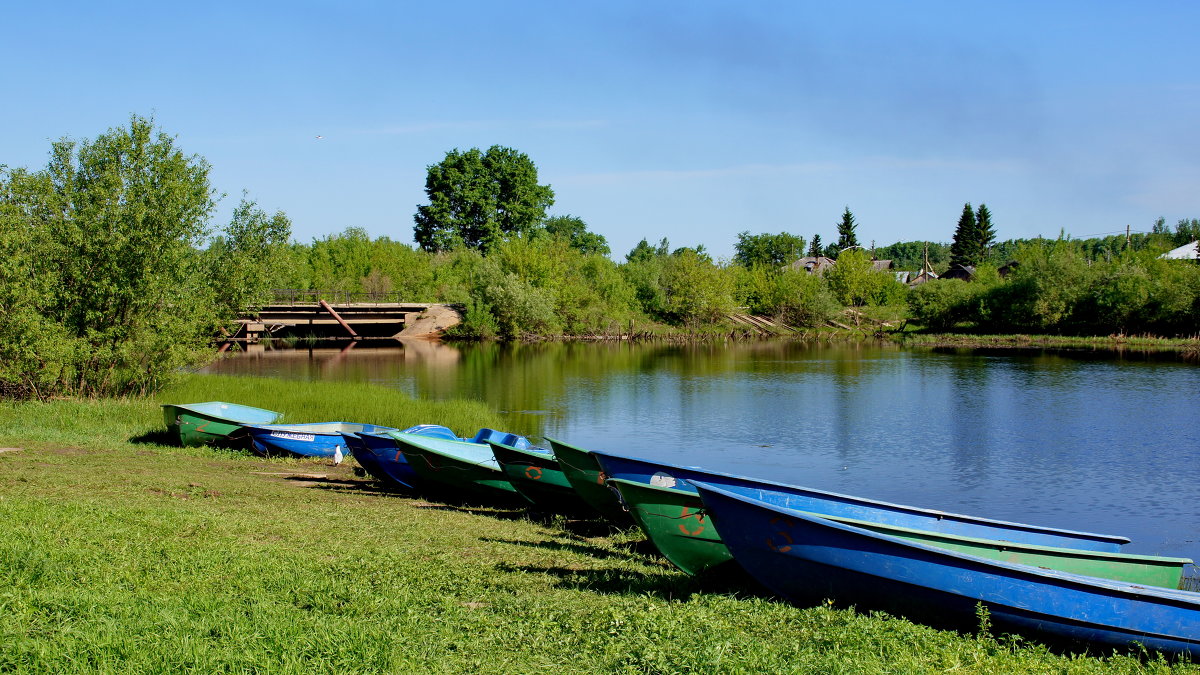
675	522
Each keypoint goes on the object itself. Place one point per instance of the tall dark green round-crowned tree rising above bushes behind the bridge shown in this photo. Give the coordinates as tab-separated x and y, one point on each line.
477	200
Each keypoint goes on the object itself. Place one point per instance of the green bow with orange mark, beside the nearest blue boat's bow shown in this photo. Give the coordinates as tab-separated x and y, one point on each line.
676	524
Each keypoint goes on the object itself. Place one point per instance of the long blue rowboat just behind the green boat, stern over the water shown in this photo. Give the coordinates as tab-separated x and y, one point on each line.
845	506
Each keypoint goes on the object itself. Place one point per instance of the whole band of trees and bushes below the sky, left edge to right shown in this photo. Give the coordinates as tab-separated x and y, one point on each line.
112	278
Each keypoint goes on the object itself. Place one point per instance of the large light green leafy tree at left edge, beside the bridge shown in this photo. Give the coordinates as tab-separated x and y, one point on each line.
106	266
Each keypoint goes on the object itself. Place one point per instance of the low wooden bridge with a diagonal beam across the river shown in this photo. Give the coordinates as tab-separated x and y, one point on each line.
338	315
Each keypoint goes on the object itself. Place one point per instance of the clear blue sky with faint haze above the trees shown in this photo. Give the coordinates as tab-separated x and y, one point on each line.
692	121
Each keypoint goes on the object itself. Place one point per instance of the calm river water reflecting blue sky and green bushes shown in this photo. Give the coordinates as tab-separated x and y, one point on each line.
1075	440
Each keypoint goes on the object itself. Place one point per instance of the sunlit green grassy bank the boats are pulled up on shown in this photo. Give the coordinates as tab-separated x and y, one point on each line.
118	554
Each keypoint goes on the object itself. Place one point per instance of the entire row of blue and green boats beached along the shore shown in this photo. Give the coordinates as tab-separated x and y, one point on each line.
805	545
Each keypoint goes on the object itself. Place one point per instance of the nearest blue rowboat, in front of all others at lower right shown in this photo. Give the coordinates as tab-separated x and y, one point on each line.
808	559
